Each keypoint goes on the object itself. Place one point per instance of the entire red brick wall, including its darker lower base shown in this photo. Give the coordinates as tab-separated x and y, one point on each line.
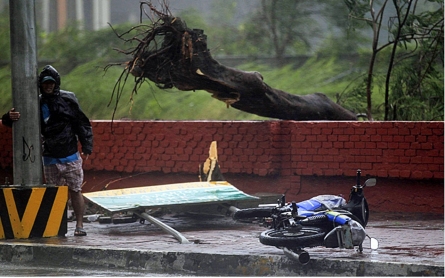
300	159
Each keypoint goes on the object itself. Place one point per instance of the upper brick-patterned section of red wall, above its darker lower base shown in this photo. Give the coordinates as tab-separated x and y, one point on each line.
411	150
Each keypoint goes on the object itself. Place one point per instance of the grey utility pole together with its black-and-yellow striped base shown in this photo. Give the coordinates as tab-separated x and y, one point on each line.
28	209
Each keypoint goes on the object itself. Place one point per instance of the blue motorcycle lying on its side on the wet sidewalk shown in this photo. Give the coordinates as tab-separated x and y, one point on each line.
324	220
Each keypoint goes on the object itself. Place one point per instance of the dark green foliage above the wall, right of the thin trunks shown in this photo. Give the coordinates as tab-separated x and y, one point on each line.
416	87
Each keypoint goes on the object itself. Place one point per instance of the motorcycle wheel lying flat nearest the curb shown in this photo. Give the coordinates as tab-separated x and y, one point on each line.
304	237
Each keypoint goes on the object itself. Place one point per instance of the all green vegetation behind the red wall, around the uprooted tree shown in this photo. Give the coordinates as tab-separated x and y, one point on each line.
81	56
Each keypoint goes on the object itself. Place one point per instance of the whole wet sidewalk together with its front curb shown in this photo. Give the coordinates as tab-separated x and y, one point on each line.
410	245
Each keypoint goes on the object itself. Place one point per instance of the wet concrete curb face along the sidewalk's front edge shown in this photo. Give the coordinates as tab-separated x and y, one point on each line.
192	263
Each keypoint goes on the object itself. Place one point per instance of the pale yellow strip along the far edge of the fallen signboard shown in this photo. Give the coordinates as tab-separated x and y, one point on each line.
155	188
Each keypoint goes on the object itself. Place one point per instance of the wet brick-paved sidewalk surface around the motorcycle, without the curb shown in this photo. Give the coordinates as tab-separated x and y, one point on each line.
408	238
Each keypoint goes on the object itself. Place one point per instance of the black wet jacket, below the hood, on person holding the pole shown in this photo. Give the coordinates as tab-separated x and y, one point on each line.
67	124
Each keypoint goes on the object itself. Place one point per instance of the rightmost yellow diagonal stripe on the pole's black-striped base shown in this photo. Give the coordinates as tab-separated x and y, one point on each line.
57	211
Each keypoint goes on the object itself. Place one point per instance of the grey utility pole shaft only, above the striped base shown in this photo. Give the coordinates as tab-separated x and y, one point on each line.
26	131
